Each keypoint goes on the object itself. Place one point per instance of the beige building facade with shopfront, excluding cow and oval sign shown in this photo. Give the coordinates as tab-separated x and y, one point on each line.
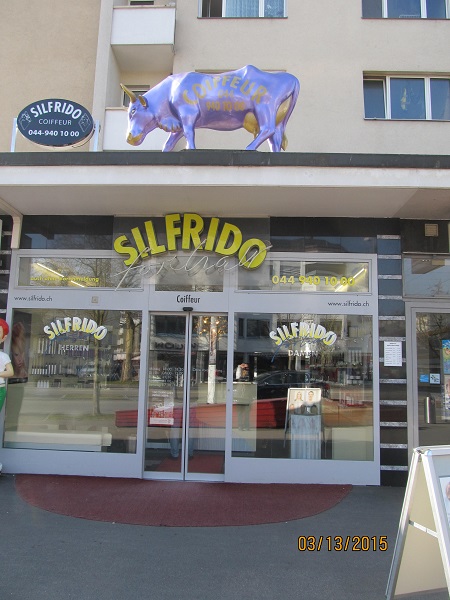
130	277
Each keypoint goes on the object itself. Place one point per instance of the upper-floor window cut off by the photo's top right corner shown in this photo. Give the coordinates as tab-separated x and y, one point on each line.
405	9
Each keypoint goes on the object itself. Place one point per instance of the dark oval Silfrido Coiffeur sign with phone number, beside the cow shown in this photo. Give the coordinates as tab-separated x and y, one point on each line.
56	122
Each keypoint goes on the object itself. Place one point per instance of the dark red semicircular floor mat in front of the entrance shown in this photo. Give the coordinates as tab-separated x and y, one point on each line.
176	504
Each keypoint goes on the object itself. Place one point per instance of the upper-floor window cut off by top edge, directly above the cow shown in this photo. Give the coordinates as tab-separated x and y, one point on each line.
243	8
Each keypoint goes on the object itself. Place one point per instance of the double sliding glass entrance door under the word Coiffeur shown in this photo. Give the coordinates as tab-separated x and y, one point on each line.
186	402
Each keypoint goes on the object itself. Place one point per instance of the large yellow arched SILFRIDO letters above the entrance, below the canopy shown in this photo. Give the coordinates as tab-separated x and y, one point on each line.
225	239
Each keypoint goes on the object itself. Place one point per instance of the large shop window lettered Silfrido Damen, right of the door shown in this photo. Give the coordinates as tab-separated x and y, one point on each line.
308	391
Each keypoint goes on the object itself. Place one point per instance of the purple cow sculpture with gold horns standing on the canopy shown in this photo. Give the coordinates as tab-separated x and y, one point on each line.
248	98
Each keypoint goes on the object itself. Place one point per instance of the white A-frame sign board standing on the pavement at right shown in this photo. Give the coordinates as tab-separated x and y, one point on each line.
421	560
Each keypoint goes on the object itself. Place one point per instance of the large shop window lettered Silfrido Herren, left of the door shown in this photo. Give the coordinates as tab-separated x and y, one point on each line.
76	379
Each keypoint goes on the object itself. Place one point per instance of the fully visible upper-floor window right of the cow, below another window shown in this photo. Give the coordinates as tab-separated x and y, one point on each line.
420	98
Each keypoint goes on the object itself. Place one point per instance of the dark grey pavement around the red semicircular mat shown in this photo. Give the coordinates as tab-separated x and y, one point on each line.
45	556
